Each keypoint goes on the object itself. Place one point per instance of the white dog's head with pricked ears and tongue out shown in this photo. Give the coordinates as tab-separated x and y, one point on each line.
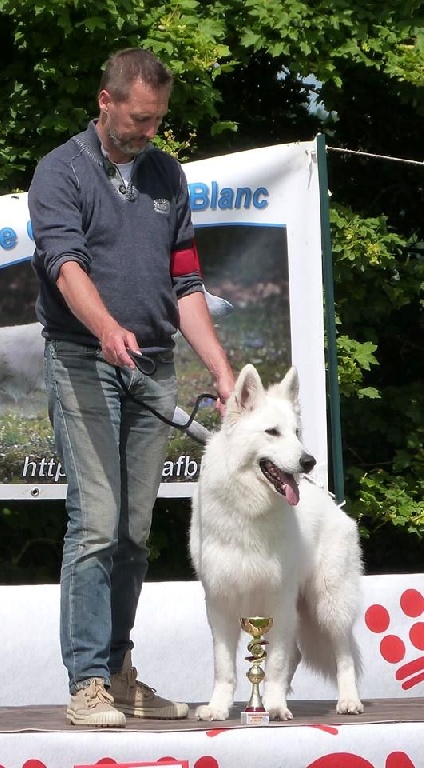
267	424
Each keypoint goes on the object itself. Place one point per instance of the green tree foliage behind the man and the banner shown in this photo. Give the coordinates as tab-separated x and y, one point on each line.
240	69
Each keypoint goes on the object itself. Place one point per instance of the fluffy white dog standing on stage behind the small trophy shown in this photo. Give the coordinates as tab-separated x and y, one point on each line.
266	541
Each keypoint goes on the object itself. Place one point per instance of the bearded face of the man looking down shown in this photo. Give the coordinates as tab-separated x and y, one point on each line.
125	127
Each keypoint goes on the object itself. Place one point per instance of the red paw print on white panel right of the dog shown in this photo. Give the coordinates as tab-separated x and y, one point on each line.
392	647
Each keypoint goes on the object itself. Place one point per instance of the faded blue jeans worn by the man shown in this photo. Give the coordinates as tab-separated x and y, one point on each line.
112	451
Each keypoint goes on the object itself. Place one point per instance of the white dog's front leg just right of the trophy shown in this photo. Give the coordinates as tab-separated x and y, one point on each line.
283	658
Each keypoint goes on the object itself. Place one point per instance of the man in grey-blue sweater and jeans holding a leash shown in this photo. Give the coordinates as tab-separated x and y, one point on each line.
118	271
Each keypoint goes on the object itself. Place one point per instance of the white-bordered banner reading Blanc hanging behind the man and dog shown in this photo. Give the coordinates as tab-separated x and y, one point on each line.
257	219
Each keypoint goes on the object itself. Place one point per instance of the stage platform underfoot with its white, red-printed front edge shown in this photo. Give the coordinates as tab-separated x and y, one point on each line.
390	733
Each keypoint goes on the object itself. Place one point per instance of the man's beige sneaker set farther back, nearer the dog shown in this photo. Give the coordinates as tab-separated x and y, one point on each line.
137	699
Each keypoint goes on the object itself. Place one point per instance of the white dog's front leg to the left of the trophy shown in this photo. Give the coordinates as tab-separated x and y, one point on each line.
225	634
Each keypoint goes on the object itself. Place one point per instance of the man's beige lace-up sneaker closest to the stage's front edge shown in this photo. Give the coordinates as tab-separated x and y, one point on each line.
93	705
